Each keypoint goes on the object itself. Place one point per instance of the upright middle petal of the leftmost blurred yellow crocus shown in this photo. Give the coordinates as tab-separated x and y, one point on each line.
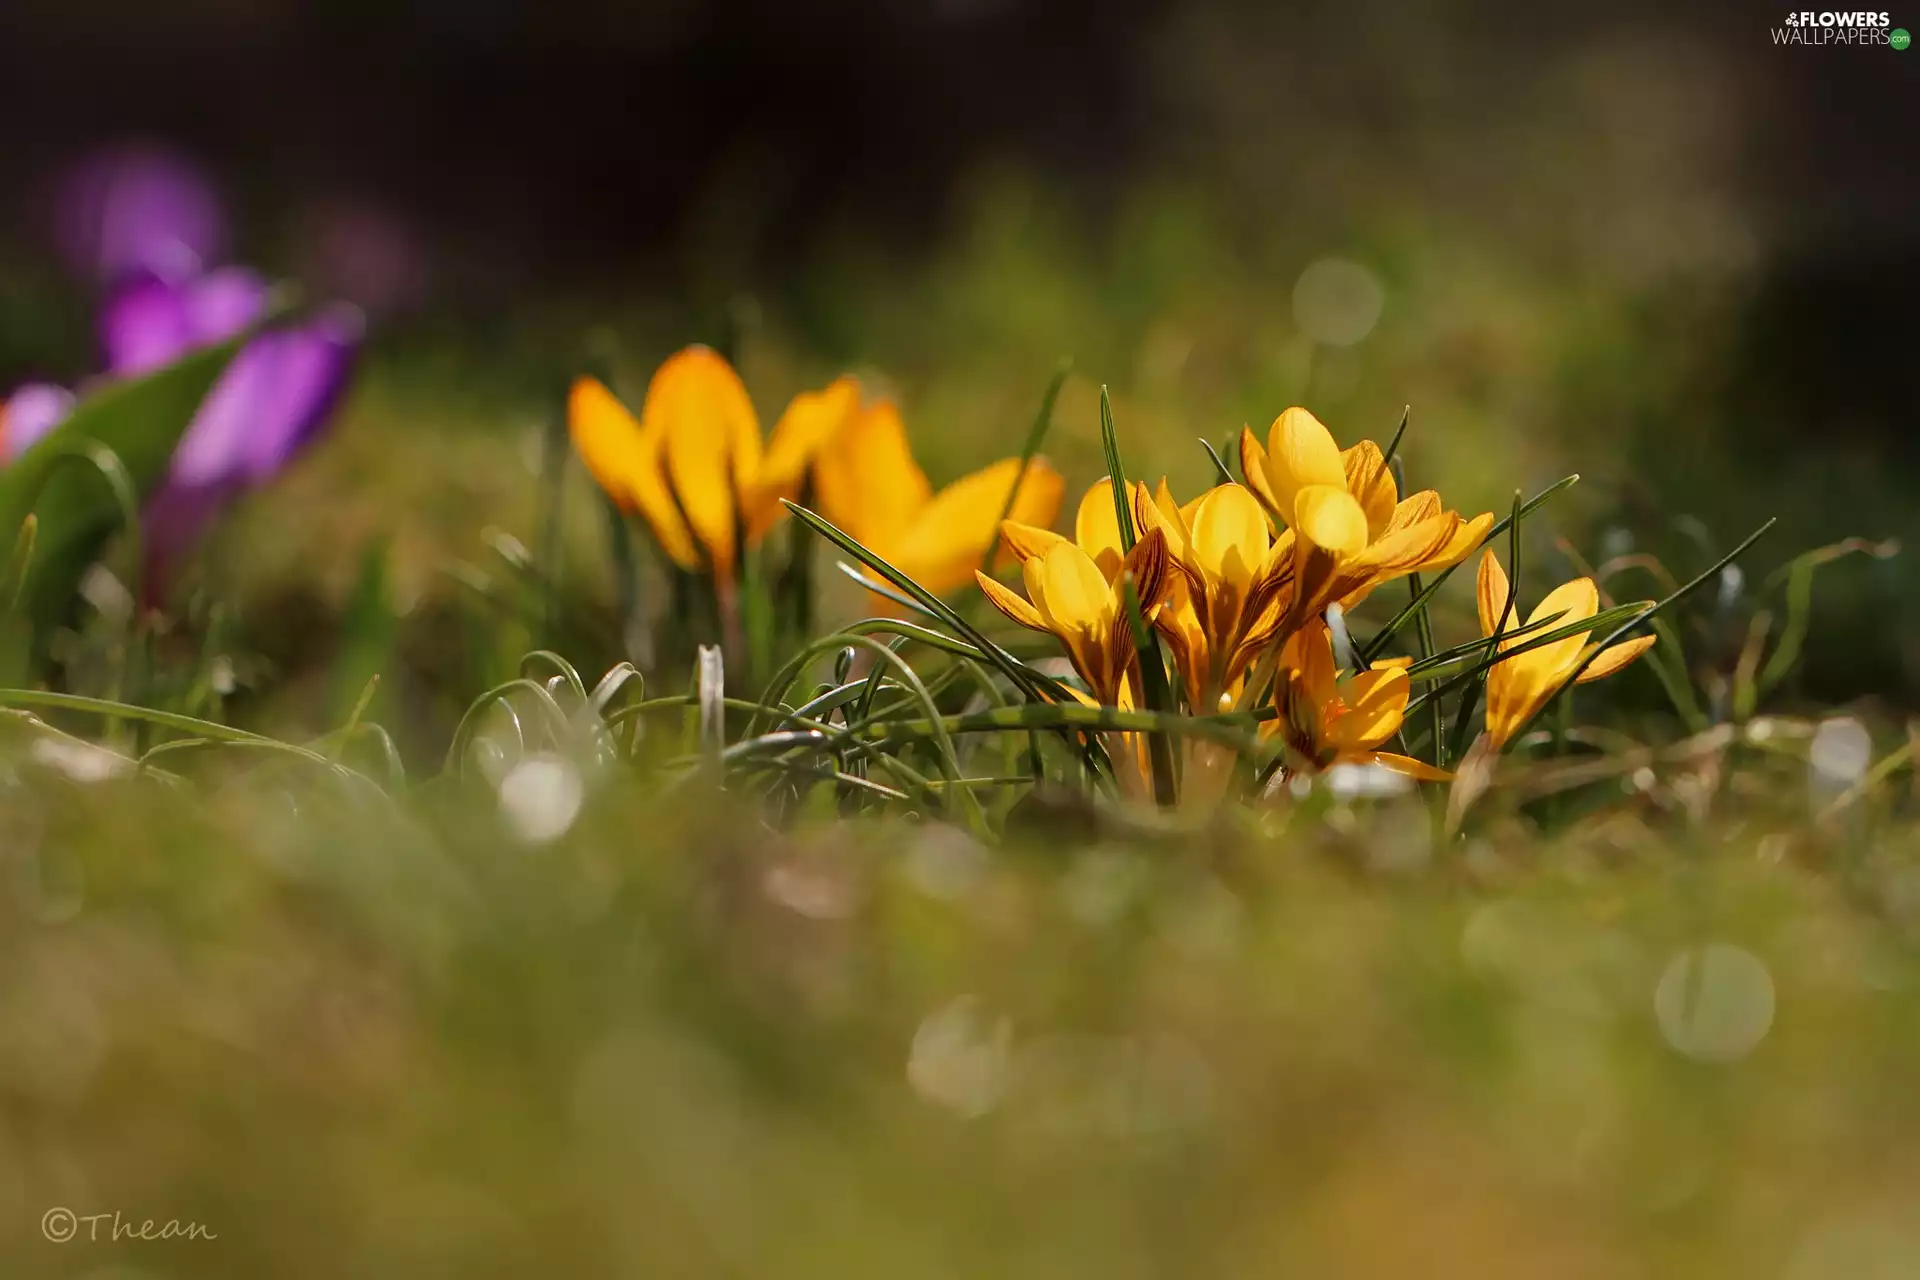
706	419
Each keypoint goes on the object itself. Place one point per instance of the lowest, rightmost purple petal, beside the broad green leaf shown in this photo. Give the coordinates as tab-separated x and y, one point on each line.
270	402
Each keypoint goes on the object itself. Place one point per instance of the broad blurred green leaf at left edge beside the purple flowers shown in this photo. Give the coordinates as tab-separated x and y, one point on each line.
68	483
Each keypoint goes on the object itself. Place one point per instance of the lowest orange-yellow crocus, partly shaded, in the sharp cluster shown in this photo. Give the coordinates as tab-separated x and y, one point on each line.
1330	719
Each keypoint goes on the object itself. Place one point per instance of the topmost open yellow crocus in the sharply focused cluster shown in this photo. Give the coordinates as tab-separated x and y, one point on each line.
1353	529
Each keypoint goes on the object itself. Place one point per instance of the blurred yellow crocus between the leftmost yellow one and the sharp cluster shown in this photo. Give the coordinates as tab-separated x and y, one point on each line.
869	485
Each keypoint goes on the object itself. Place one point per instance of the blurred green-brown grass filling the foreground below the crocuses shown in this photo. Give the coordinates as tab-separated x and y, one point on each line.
393	1041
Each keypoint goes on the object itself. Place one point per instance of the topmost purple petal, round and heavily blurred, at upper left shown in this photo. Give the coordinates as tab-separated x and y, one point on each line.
137	208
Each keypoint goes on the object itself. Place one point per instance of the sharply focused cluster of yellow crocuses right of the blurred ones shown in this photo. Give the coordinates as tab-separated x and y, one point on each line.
1245	575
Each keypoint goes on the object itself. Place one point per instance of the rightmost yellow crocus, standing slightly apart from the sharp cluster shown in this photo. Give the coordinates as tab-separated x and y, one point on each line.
1520	686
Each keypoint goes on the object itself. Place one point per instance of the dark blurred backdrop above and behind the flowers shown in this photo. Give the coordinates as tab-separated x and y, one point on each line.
1652	247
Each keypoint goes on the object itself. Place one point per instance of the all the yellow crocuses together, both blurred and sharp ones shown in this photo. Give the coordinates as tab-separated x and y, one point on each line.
1237	581
